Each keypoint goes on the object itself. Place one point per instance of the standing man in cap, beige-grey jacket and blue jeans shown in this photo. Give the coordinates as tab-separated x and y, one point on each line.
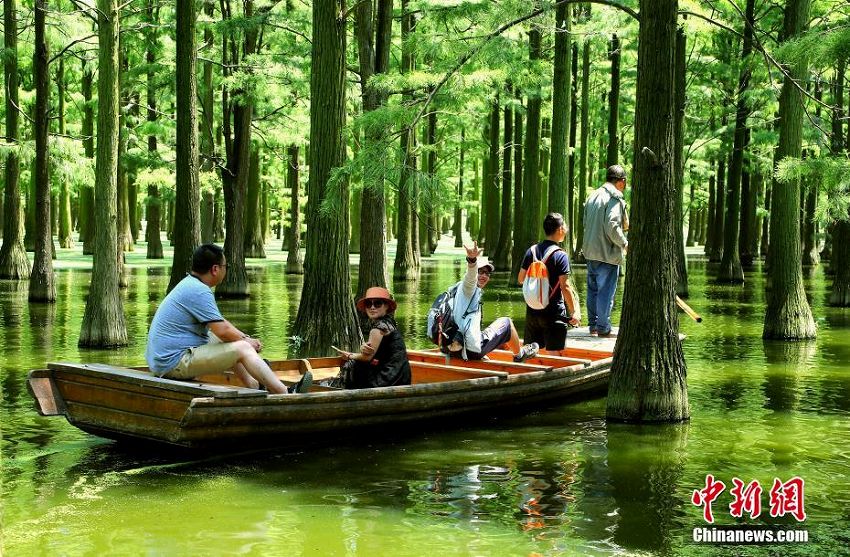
605	244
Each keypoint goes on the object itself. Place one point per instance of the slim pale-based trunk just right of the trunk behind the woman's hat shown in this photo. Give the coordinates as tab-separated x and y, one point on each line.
406	265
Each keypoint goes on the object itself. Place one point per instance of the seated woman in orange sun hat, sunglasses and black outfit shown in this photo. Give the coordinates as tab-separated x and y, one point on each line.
382	360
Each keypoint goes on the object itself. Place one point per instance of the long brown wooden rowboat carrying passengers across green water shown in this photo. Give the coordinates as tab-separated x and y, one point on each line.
130	403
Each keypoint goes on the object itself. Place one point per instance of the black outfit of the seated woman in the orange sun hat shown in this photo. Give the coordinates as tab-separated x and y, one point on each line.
389	366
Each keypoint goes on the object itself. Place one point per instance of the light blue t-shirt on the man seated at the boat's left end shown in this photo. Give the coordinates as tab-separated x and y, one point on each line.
180	323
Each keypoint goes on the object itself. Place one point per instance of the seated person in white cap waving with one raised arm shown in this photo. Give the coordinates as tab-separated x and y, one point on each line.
473	343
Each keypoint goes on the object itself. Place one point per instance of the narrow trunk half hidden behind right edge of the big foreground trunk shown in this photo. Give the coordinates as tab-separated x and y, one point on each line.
679	102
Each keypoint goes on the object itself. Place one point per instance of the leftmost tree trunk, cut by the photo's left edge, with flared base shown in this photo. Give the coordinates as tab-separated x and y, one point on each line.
14	263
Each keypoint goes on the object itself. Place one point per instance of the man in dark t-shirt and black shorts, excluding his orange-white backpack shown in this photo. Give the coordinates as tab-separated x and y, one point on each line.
547	327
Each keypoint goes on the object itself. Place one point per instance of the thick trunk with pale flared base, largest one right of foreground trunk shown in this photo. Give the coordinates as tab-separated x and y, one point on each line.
788	315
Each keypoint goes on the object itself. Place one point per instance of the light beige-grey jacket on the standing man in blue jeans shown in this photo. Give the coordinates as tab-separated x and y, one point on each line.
604	218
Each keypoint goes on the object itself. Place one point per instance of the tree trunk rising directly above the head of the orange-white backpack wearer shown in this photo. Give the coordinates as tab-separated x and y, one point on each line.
561	87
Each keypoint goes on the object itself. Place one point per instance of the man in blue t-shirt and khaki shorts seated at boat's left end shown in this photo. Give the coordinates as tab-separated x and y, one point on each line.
189	337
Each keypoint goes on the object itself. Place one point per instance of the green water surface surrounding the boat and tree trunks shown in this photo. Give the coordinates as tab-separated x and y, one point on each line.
557	481
